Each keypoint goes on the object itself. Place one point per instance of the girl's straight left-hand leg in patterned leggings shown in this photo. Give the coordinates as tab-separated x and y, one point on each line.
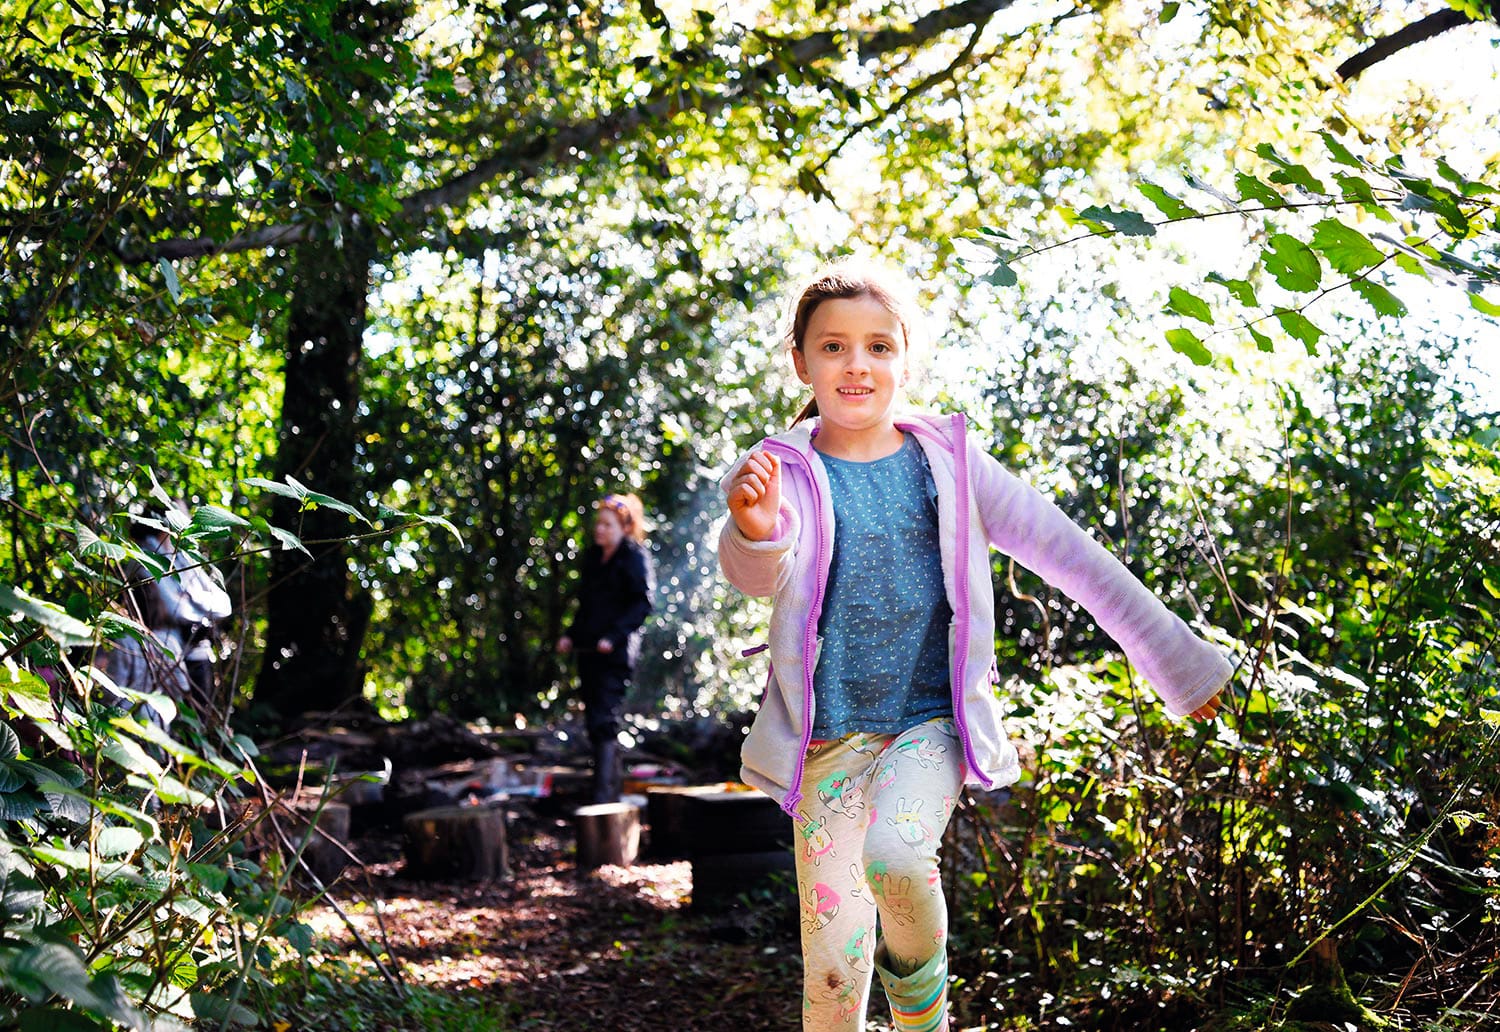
838	907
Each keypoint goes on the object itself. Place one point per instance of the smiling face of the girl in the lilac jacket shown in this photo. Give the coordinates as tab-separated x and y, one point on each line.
854	358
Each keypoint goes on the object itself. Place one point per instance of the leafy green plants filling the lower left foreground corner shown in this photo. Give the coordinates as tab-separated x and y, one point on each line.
130	896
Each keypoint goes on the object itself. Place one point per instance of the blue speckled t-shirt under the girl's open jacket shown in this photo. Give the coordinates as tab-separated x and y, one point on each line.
884	664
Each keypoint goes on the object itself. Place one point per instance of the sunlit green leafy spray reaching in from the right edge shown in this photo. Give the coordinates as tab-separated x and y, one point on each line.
1439	227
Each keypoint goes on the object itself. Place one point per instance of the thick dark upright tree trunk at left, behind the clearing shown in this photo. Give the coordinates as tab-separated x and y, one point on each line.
314	625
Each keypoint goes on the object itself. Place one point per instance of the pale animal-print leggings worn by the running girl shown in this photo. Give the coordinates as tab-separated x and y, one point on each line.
872	818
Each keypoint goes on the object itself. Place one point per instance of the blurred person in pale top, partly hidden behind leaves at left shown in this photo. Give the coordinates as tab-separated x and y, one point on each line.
193	605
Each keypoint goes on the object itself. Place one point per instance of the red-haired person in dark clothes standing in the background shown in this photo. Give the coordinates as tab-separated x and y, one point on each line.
614	601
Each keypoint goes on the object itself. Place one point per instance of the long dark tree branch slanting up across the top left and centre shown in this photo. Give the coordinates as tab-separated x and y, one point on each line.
532	154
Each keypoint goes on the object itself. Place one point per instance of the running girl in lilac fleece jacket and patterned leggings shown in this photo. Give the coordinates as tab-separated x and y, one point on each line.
871	529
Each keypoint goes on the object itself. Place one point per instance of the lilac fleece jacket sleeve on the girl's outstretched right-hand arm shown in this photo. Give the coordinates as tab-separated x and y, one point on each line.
1184	670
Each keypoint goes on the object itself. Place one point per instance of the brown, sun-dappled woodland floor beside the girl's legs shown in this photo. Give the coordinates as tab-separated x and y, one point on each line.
617	950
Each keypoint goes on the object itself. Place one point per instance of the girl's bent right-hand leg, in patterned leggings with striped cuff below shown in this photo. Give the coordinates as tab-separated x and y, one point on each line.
916	791
